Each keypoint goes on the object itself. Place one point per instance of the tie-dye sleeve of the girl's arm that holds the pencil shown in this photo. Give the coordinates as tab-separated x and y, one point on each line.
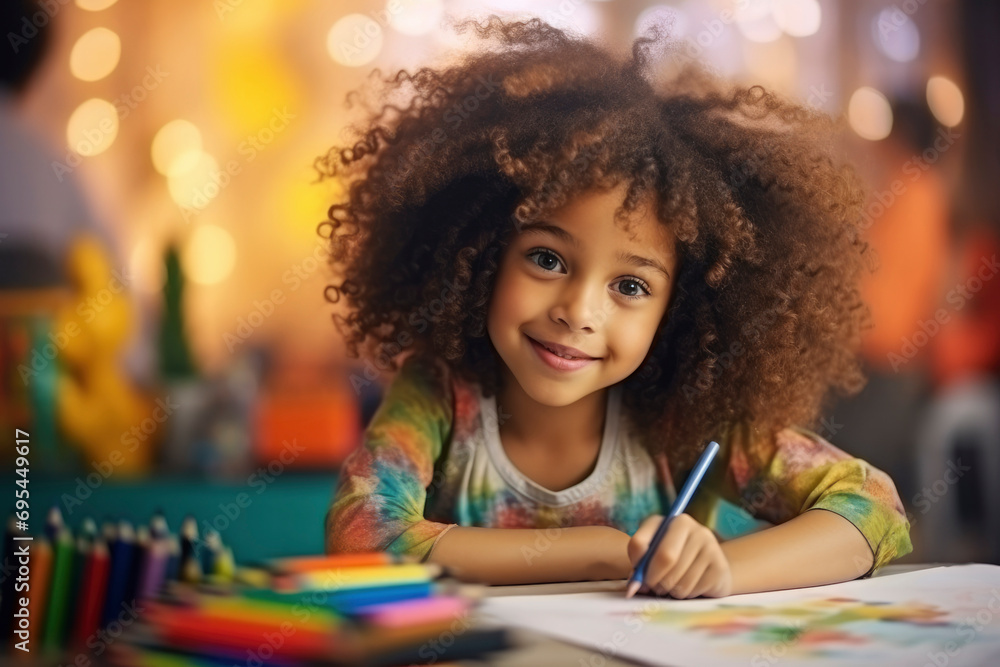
801	471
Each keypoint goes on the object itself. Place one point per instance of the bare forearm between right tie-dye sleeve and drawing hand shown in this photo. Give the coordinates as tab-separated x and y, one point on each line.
815	548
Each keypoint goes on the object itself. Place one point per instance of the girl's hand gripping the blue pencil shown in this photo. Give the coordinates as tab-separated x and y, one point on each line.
688	563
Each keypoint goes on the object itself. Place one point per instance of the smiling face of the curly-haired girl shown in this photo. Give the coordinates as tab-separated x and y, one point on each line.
586	283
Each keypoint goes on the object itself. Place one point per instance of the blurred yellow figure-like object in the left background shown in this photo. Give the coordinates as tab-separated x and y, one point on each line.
98	407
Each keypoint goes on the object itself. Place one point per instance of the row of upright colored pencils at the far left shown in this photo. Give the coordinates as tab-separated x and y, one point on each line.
85	590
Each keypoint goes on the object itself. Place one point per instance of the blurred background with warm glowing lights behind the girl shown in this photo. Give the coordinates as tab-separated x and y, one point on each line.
164	338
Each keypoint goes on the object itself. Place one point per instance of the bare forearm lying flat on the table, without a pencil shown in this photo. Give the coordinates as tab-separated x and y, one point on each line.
531	556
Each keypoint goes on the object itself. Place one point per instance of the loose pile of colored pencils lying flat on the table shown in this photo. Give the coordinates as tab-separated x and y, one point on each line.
371	609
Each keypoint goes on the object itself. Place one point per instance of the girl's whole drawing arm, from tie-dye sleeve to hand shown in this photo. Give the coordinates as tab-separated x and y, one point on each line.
835	517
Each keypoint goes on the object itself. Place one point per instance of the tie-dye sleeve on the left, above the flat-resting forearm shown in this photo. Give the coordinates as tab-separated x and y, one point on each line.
382	485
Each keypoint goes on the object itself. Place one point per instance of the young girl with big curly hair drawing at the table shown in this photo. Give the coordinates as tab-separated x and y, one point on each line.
582	277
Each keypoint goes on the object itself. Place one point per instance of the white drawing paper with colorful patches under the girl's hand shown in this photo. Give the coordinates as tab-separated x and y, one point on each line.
938	617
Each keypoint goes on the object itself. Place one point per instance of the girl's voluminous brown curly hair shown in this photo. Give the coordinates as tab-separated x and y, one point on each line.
766	317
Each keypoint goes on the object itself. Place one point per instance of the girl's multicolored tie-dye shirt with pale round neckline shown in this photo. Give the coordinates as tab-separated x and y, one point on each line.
432	459
